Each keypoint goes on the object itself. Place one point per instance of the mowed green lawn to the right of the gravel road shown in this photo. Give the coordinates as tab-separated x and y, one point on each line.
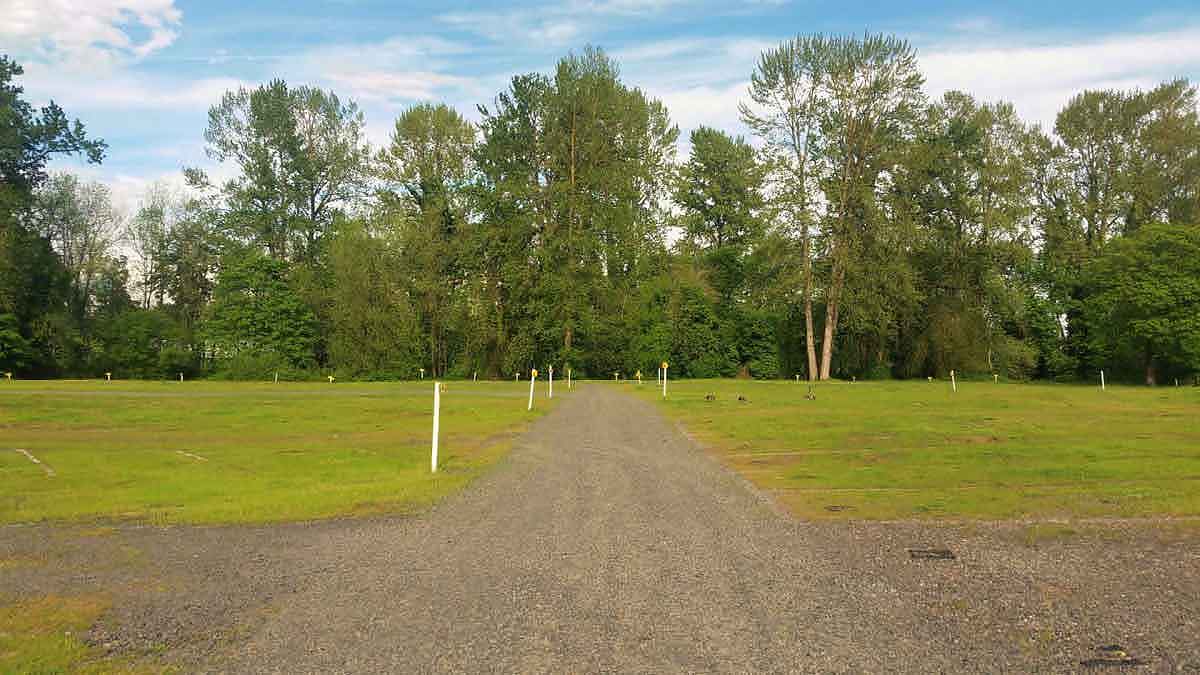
917	450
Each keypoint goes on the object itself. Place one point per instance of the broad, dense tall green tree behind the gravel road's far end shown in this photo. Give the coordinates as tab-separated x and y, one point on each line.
578	166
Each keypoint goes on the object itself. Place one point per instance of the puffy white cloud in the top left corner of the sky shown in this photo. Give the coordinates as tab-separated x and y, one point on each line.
88	34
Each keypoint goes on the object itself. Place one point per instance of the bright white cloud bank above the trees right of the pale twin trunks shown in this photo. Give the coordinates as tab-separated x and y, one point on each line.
1040	80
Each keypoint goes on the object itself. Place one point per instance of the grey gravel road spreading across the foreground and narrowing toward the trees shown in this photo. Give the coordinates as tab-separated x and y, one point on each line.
608	542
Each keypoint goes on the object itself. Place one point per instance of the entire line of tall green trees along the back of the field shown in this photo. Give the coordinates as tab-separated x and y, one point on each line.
863	231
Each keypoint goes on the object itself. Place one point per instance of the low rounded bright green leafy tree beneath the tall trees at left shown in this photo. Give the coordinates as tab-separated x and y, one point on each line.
257	320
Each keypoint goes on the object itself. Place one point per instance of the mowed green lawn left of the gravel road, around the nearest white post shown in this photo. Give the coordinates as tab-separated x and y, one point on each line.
218	452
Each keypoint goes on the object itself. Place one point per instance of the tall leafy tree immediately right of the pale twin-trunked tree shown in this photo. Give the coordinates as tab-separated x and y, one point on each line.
964	186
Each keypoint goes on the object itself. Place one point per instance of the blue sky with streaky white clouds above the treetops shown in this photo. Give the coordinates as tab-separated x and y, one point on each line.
143	74
